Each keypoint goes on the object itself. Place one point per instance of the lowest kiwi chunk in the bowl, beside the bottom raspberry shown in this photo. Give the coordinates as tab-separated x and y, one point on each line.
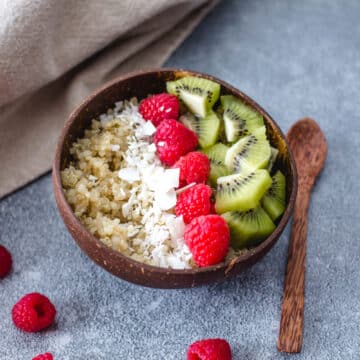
248	228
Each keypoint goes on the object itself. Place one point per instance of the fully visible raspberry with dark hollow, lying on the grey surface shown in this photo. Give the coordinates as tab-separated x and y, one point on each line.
33	312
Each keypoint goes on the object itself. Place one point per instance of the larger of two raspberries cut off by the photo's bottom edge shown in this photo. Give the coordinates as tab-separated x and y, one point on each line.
209	349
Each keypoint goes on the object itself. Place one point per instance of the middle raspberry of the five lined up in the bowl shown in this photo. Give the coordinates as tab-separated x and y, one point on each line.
194	167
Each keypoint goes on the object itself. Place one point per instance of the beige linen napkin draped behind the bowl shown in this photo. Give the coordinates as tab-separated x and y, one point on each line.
53	53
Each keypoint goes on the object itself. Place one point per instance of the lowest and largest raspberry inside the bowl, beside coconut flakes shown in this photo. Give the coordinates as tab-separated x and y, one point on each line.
208	239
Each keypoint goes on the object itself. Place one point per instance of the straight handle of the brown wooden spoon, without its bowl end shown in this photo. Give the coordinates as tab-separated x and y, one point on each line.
292	312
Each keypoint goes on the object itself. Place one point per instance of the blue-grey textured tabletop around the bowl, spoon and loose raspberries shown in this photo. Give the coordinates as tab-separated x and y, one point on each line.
295	58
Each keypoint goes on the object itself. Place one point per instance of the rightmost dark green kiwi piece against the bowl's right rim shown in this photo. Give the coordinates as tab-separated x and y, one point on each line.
274	199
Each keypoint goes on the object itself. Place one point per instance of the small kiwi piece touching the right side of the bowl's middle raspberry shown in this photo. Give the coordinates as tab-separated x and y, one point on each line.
216	155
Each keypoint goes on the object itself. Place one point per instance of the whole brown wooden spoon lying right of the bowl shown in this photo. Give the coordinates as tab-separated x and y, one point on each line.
309	148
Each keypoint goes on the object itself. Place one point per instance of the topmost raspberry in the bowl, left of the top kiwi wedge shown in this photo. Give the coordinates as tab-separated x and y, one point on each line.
159	107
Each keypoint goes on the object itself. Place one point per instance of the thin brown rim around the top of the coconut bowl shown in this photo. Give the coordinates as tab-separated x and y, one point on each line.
226	266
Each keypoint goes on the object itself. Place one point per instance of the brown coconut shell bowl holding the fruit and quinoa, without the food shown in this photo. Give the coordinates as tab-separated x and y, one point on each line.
140	84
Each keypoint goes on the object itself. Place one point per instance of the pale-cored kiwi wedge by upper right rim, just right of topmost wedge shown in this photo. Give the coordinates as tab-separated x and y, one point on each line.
239	119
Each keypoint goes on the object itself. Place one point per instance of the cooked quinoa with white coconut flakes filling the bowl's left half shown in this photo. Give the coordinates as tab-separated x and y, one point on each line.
114	184
